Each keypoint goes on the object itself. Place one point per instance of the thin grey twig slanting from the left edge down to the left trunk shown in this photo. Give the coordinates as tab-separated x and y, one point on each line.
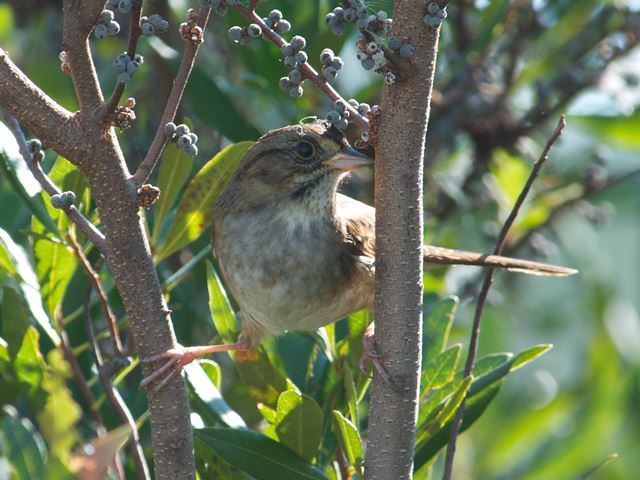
33	162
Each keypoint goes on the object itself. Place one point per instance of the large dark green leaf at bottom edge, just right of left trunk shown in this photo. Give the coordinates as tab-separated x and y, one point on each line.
253	453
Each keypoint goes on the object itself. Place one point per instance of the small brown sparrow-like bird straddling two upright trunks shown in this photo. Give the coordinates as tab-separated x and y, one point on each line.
295	253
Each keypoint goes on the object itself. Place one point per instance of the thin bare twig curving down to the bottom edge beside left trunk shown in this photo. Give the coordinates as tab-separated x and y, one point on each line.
113	395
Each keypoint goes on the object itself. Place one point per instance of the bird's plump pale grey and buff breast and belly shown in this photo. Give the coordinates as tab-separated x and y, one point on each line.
290	271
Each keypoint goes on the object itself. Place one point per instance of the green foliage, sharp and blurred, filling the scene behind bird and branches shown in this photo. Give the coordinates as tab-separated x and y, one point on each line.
506	66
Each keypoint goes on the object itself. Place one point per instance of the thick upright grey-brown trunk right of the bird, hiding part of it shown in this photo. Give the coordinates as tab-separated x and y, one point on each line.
400	150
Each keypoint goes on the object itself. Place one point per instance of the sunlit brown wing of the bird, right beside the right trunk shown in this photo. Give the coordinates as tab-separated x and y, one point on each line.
359	221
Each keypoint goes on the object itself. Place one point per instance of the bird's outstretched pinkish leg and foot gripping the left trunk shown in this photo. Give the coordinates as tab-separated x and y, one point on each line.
175	359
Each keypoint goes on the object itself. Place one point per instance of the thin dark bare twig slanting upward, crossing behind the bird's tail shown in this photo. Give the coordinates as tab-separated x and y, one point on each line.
486	285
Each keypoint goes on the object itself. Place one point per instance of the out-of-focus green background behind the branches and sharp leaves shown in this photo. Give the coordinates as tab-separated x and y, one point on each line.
507	70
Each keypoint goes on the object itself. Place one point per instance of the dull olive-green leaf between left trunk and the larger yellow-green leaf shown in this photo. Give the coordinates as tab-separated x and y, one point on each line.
175	169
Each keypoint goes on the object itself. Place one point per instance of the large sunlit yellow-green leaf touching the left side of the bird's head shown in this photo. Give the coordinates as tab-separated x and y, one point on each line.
195	211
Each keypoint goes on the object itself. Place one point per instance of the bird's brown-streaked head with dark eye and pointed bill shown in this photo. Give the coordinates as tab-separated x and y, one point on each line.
302	162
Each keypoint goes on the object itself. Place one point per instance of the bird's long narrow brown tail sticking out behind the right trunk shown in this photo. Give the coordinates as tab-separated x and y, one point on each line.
446	256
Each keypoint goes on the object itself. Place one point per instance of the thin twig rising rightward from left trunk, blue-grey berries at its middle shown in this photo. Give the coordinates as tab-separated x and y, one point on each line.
160	139
